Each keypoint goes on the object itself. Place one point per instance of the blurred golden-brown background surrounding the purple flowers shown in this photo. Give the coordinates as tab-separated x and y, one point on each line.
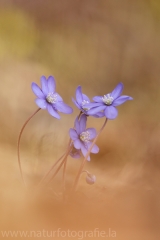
95	44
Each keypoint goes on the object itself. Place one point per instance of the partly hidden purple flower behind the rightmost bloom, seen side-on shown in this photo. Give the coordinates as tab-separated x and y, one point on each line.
82	100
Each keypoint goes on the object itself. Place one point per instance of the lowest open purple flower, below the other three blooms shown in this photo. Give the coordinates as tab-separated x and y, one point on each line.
82	137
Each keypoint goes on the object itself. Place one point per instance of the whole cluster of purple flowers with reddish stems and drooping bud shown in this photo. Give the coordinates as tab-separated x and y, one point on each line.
82	139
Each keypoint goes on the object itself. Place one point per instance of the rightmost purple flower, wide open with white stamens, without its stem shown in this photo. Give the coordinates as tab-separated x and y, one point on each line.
108	102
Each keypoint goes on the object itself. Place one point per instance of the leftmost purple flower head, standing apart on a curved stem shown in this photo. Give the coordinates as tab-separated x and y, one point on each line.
48	98
